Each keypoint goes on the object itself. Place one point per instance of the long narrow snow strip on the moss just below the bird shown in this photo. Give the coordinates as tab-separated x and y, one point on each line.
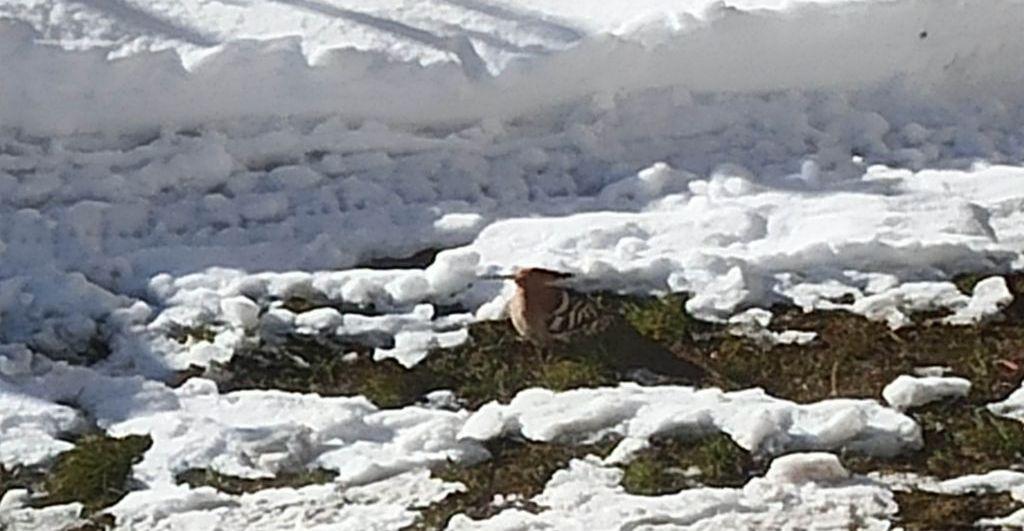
757	422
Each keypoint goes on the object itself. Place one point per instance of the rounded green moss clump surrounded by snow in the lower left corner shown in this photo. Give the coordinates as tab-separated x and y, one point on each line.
96	472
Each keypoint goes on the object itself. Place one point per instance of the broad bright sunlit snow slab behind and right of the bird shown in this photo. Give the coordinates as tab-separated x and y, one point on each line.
736	251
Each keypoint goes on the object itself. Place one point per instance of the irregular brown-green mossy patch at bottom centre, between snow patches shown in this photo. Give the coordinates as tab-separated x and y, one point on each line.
517	469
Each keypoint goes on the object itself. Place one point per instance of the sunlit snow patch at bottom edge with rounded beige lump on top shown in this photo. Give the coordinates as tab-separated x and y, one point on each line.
800	492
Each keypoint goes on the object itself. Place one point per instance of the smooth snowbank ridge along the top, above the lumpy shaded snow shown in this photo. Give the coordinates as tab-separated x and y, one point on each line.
947	43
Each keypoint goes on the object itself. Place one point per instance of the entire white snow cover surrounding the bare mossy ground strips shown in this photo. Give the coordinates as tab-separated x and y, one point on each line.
195	166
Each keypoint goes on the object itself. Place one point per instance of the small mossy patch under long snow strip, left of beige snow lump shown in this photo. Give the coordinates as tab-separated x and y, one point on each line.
672	465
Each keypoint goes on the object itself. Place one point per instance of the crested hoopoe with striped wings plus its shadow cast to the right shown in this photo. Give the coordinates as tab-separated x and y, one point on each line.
548	314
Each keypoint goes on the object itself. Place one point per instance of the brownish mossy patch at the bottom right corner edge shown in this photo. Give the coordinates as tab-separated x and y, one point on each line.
928	512
